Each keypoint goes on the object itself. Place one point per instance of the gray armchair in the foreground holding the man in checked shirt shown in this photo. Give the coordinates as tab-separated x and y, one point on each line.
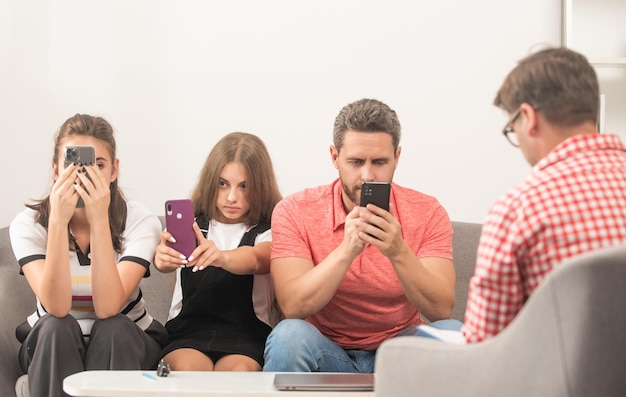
568	340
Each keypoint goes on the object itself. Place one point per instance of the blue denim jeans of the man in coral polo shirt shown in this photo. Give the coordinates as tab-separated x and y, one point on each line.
297	346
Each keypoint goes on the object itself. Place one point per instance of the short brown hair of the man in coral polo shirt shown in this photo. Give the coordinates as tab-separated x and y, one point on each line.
367	115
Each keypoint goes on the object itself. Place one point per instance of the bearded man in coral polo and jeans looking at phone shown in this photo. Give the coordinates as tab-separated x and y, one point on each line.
349	277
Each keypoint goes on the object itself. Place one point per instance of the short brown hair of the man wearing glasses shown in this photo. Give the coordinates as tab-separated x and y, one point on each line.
558	82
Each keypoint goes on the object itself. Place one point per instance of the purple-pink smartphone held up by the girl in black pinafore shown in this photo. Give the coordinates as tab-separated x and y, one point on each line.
179	218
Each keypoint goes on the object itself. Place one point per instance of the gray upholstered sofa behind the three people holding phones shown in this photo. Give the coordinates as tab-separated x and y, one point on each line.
17	300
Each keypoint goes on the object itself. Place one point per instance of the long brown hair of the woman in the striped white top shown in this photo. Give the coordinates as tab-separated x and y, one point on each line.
98	128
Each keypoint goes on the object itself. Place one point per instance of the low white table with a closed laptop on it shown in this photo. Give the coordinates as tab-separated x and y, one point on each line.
184	384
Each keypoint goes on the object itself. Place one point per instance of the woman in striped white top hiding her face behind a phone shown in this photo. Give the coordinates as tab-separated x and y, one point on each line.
84	263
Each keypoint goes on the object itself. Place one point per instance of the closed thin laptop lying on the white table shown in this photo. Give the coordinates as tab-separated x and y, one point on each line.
327	381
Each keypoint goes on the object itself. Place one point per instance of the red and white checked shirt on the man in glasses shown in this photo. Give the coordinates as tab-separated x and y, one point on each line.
573	201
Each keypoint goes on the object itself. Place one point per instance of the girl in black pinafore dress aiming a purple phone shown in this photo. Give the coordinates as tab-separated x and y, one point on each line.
219	318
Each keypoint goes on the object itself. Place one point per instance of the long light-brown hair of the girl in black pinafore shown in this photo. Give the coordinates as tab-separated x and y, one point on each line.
262	191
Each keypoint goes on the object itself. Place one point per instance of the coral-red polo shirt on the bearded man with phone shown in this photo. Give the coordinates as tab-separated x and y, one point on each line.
369	305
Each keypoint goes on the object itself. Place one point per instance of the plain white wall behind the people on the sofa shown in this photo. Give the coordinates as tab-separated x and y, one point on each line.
174	76
